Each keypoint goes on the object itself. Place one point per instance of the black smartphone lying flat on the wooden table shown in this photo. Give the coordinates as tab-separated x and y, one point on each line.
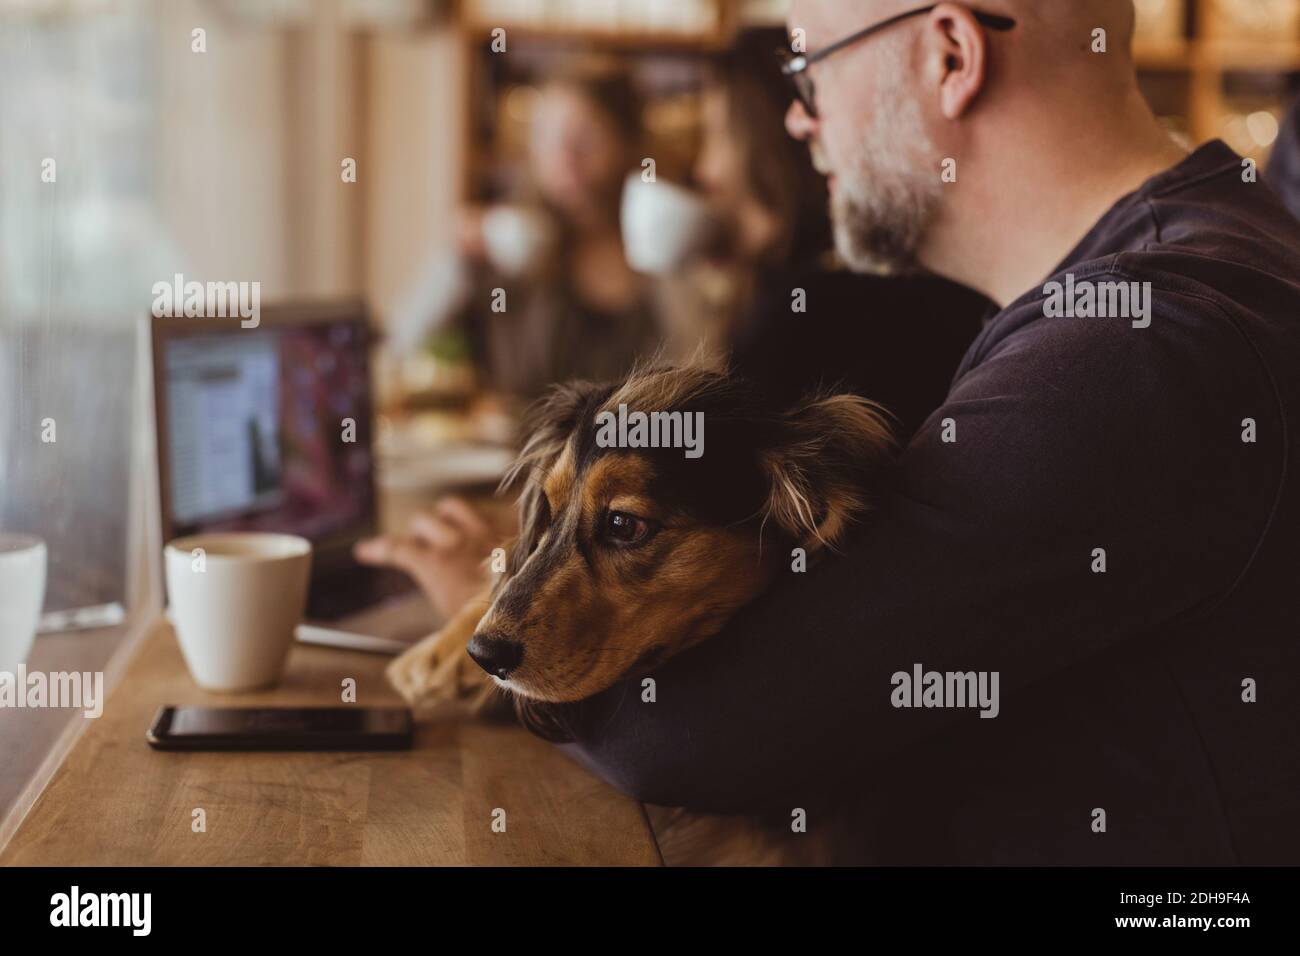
281	729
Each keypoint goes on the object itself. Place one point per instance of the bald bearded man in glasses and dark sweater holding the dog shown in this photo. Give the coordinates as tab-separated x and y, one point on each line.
1102	526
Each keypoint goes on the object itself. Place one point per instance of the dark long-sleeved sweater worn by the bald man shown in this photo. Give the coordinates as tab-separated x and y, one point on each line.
1120	691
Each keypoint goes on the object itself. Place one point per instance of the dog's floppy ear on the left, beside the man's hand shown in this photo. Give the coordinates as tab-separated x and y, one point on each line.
548	426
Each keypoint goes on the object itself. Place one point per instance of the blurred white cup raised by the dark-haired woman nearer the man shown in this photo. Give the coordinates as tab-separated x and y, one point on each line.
665	226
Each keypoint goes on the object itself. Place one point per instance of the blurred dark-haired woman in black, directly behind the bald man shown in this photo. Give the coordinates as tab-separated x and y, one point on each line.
799	321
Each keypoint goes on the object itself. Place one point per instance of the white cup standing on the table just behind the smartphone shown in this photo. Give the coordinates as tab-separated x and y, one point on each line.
236	602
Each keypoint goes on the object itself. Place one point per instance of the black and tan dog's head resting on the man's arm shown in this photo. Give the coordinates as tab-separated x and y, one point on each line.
630	555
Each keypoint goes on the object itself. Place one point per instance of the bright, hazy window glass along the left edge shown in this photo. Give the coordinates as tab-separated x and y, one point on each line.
77	228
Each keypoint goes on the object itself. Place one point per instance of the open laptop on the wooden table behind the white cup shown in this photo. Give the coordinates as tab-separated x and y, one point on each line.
271	430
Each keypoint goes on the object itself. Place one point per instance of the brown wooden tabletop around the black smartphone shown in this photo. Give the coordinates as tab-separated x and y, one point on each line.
118	802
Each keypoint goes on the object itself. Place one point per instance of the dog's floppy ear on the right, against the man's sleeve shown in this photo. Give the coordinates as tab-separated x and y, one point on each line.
824	466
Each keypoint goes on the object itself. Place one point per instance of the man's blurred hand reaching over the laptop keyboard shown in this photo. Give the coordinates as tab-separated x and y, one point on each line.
444	551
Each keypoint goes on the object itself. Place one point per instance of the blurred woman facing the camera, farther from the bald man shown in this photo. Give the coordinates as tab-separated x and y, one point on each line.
569	304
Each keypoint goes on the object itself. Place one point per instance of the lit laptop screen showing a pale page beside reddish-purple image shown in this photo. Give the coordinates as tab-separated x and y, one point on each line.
268	430
